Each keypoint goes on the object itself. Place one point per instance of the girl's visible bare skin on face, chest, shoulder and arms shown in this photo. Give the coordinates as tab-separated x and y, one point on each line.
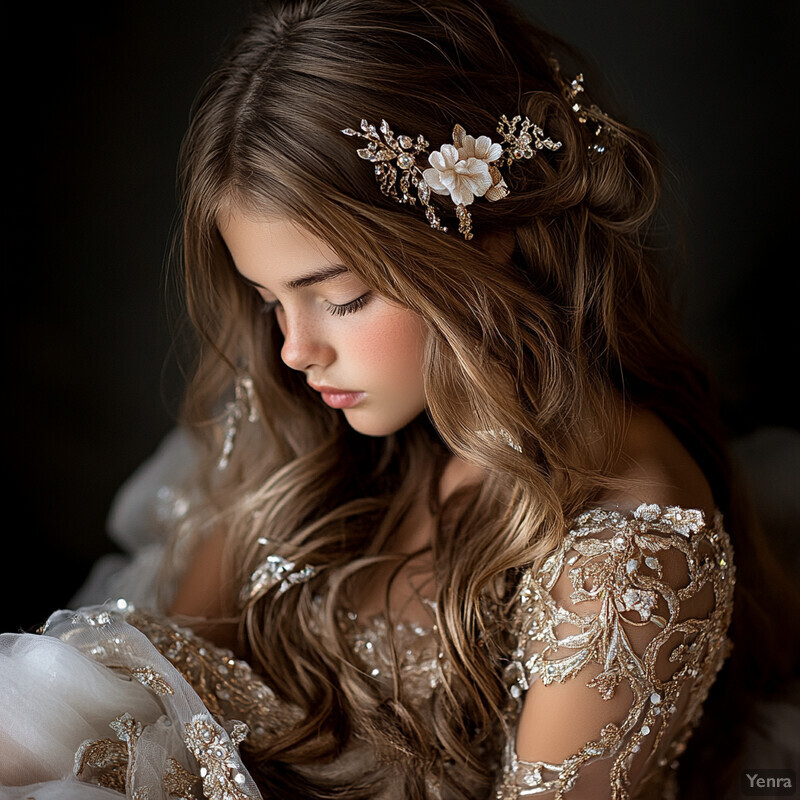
377	349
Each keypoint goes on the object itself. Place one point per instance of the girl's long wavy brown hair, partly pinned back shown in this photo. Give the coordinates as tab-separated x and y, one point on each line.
551	337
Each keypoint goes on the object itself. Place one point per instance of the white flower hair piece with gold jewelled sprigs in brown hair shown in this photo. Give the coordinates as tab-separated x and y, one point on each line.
466	169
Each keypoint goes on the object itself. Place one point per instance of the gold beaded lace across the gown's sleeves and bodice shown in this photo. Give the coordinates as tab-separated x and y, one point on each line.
618	638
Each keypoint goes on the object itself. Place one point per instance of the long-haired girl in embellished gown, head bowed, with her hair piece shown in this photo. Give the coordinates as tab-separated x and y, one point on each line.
458	519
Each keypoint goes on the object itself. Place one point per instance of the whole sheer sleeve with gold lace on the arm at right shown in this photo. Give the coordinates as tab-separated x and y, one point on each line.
620	634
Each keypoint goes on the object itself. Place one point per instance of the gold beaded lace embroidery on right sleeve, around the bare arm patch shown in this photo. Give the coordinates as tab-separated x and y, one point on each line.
620	562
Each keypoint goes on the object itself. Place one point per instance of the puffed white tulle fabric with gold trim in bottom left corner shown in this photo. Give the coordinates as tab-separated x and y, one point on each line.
93	680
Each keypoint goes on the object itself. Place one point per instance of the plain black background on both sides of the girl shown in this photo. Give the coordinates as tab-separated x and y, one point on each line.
97	100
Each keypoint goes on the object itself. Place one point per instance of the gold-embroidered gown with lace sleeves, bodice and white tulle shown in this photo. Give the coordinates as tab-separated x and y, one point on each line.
628	617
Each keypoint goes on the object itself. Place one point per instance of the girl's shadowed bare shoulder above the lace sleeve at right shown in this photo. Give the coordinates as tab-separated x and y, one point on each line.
657	468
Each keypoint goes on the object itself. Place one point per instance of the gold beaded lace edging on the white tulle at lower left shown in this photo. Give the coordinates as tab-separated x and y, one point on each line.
117	638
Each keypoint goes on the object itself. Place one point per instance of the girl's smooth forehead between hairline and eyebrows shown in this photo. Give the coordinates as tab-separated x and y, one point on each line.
275	248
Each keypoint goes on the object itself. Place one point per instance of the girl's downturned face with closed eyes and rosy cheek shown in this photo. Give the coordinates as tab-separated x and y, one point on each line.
360	351
